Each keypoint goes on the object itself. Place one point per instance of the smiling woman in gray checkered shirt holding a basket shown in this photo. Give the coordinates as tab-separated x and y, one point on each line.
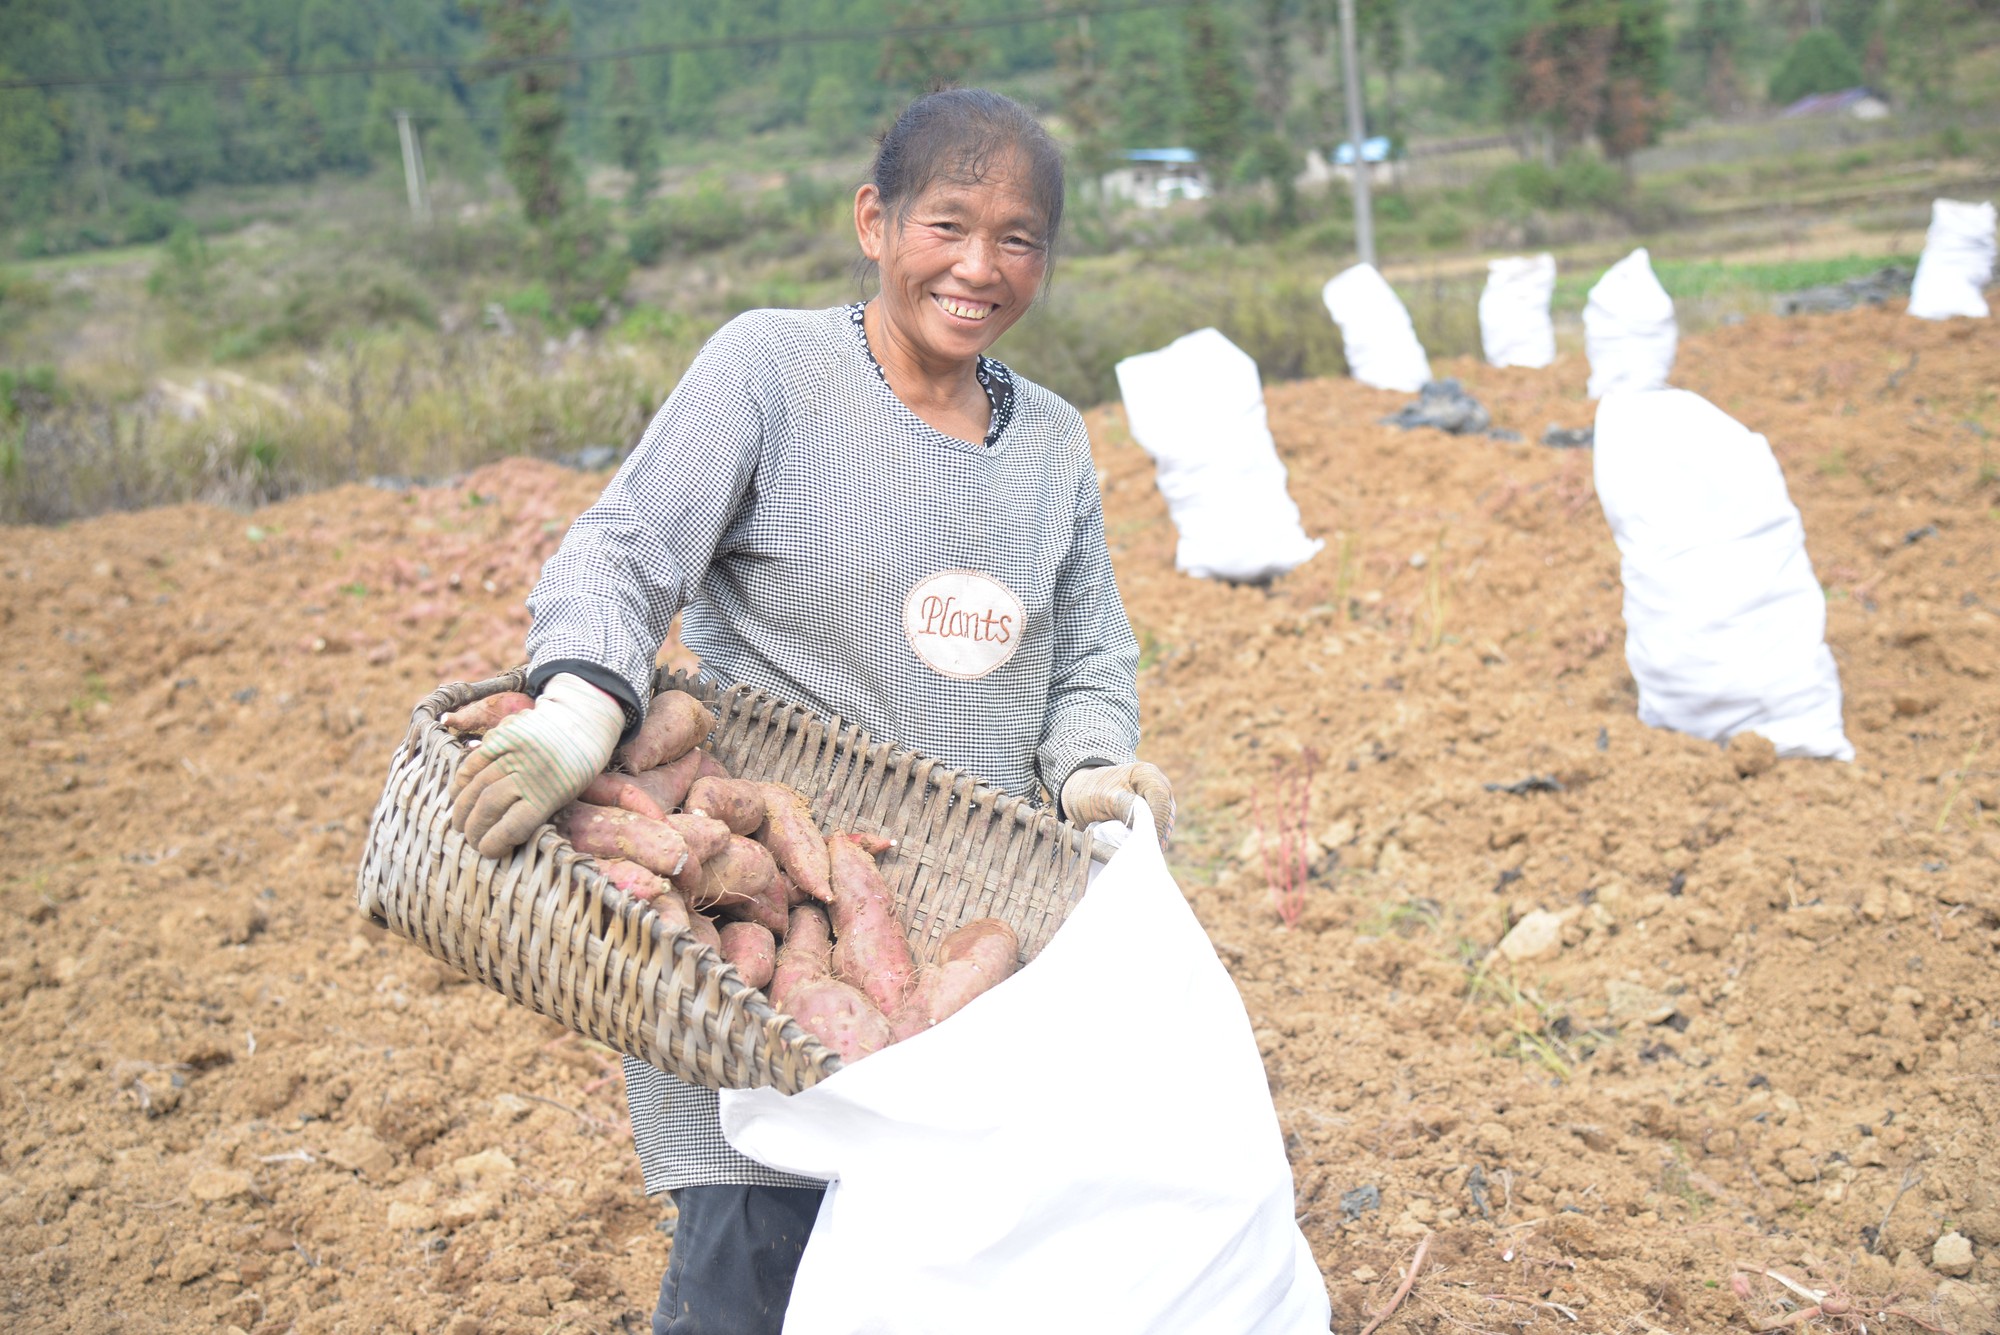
863	513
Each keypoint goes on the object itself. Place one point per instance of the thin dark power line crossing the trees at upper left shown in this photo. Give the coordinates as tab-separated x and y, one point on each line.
631	53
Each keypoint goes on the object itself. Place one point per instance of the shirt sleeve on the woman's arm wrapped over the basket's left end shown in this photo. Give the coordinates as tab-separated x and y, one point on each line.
641	553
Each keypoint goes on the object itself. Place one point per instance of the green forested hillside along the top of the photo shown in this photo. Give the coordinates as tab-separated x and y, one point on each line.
113	105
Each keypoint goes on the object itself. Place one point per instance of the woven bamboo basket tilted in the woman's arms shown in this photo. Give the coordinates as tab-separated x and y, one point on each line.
545	928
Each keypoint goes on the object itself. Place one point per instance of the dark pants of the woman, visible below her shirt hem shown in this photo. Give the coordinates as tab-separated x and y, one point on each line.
735	1258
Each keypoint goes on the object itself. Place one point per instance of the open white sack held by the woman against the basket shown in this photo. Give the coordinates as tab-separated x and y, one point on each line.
1029	1168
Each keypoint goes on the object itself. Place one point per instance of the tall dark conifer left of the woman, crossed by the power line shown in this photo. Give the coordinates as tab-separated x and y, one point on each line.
531	147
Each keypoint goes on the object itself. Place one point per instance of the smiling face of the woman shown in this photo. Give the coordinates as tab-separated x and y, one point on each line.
959	267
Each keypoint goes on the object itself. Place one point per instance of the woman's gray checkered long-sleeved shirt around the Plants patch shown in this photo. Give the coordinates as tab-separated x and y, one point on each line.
787	503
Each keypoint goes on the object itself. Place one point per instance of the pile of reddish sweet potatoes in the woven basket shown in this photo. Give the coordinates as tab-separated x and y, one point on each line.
743	868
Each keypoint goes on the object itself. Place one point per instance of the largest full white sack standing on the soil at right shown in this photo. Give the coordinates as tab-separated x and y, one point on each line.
1725	619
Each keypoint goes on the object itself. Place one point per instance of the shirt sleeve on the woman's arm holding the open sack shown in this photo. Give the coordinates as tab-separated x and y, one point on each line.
1093	696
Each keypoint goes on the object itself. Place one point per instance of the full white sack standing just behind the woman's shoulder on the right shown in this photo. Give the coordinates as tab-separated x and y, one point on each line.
1197	407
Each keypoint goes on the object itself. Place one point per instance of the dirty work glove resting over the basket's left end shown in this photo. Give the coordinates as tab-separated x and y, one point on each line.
535	764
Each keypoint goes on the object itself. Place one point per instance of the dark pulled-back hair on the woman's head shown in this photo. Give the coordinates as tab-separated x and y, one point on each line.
959	135
